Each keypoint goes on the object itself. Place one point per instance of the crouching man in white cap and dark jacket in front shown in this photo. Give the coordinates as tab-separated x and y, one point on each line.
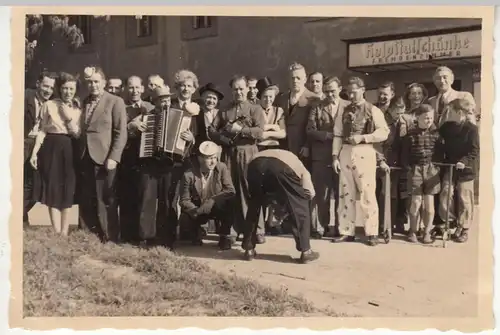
206	192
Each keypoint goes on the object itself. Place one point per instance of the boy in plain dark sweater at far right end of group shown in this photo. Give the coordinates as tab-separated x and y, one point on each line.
461	147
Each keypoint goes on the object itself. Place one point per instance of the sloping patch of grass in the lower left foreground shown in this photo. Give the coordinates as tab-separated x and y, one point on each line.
79	276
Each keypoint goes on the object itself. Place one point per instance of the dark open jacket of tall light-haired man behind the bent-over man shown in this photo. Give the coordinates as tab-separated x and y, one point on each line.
296	118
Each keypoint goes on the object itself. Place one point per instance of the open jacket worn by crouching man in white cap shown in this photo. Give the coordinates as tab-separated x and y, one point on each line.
219	189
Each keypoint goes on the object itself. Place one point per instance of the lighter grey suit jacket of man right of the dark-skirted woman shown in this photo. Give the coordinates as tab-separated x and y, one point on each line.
105	136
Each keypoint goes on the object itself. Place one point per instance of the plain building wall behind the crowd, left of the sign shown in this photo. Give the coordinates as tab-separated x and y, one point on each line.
256	46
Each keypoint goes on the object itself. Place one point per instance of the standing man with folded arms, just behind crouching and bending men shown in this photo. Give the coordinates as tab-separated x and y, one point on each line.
243	123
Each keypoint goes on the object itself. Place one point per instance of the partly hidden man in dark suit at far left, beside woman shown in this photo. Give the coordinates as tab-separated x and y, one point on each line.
33	101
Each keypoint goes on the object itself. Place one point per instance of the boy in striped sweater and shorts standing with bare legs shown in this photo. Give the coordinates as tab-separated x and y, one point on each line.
420	149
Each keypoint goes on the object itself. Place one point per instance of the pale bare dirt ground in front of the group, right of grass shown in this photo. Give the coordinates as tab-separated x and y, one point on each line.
397	279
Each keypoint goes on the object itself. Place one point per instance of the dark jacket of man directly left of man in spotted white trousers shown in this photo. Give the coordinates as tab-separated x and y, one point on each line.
321	121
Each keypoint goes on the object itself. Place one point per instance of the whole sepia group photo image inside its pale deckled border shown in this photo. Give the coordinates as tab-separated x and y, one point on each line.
254	166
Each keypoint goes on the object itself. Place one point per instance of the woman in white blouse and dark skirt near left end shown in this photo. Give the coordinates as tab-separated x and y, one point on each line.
53	152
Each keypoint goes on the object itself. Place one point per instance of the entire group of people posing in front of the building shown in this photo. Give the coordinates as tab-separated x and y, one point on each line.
309	159
